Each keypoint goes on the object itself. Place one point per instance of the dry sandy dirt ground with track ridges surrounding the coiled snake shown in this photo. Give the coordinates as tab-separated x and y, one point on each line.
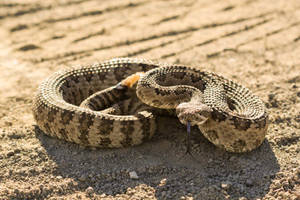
254	42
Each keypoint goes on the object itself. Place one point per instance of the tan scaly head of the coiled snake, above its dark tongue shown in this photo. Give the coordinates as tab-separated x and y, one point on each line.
194	113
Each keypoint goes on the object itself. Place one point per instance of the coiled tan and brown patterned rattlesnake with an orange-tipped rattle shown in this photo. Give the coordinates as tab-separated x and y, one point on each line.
97	105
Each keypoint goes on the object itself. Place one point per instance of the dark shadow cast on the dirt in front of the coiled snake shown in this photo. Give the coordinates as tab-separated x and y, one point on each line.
163	165
